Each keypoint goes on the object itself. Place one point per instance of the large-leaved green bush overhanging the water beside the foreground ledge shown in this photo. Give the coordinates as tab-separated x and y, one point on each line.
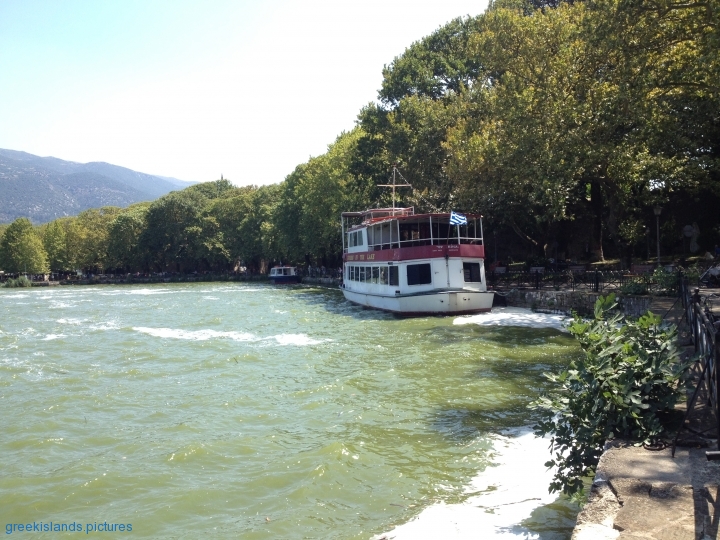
627	379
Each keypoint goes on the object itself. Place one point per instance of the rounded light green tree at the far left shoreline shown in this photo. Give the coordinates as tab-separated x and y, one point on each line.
21	249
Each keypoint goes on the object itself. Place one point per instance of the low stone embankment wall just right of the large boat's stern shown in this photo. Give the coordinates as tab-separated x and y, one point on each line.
566	301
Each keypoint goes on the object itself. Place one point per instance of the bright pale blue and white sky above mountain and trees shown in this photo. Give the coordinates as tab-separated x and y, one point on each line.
196	89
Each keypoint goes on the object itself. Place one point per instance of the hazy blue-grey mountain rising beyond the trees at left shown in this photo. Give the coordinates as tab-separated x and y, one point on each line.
46	188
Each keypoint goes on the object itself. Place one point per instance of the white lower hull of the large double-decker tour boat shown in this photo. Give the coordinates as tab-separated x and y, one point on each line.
455	302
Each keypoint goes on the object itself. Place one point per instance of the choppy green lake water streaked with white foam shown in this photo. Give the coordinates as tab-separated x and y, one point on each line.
259	412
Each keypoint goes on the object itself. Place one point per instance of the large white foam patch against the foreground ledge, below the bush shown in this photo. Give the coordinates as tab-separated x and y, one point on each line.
503	495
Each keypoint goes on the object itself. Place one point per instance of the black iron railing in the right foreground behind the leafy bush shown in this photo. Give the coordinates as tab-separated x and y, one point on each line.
705	334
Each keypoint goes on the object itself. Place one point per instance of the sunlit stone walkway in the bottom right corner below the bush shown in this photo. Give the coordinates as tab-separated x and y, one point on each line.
647	494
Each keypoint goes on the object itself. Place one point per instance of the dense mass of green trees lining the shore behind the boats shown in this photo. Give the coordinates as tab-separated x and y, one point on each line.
564	123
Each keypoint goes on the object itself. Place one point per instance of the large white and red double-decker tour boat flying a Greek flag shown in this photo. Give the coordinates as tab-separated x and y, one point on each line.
414	264
